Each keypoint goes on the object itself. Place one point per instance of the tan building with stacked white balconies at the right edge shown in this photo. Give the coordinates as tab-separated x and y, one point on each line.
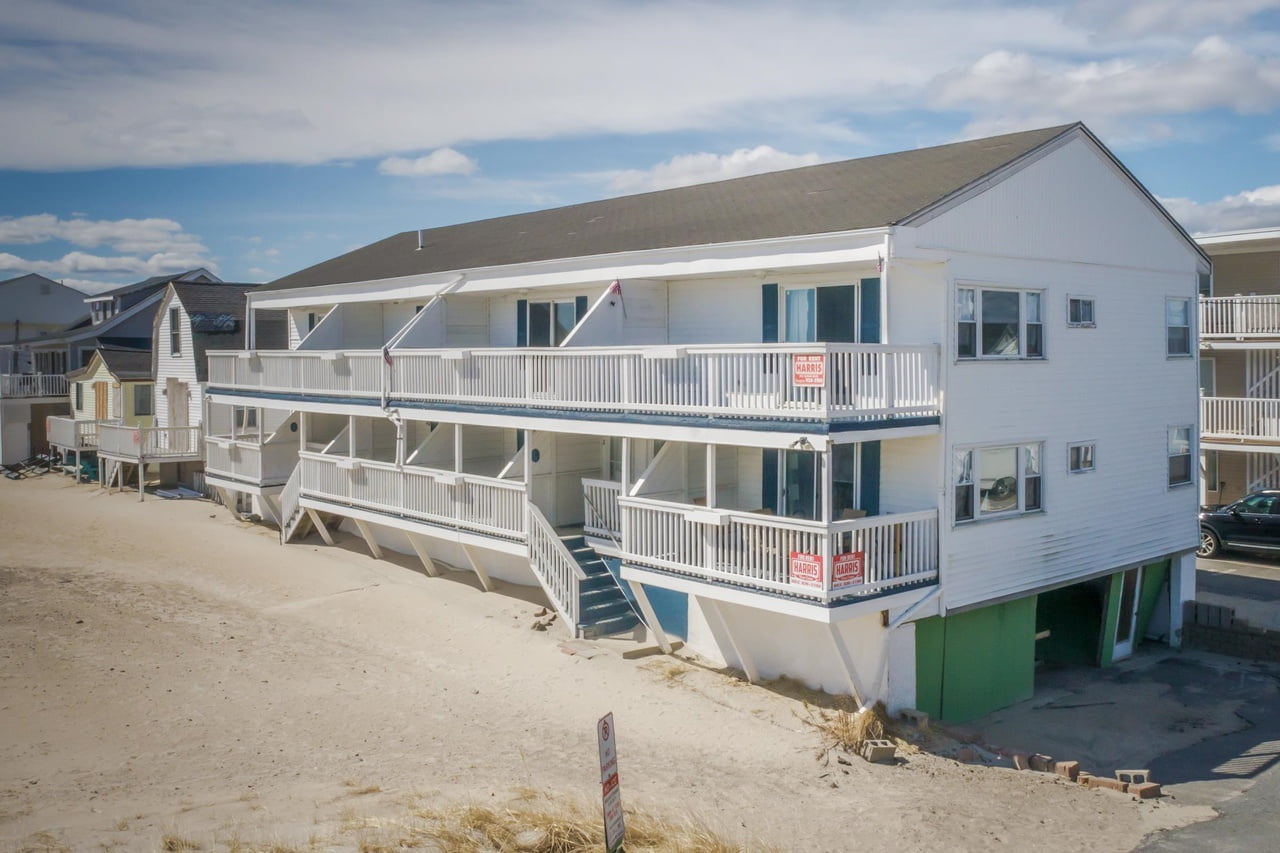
1240	341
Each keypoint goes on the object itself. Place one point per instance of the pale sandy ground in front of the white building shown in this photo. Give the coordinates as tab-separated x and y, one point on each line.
171	670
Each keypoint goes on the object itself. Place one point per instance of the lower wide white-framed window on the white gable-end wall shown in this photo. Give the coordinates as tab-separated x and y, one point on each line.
994	482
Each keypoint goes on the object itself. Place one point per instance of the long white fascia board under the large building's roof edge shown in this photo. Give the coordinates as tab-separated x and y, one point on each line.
716	259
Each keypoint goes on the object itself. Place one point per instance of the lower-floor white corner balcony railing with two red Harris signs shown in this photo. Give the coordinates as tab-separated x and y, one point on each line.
811	560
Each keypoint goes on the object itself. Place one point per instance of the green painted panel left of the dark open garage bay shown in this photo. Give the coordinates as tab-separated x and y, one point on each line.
975	663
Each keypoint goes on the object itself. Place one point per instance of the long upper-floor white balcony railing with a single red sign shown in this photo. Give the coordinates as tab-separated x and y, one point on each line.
781	382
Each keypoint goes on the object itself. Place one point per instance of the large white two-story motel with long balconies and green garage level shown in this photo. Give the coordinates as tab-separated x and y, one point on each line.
898	427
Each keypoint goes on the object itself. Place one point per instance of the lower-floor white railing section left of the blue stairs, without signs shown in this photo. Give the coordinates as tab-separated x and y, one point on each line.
482	504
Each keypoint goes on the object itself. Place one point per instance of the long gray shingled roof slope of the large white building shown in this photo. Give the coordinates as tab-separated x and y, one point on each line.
868	193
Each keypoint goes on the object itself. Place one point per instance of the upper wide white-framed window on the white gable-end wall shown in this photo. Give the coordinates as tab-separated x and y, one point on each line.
999	325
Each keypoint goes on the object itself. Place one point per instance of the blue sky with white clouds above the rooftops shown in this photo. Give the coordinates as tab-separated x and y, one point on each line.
258	138
